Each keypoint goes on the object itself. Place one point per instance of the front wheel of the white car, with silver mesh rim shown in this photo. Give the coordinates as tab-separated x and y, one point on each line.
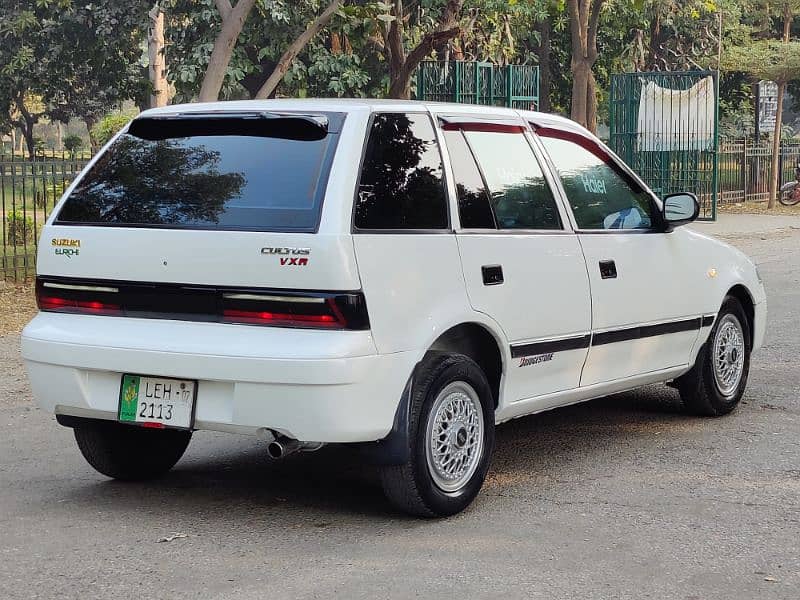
717	381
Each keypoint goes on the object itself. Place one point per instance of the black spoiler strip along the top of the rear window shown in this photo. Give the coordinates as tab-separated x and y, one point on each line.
291	126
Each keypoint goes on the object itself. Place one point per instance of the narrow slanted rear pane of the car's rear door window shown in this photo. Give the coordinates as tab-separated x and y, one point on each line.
474	206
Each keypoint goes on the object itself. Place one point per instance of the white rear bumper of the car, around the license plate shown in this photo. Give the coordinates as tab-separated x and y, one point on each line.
316	386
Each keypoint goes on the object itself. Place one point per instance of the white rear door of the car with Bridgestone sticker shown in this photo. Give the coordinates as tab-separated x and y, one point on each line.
522	266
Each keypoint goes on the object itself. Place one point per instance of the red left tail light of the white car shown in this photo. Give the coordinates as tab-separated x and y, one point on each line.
73	298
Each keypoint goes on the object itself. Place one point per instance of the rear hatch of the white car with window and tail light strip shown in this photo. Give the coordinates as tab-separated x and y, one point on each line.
211	216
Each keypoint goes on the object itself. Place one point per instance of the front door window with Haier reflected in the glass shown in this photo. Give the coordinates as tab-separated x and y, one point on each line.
601	194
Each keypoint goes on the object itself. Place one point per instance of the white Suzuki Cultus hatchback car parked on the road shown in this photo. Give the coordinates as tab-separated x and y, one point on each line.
398	275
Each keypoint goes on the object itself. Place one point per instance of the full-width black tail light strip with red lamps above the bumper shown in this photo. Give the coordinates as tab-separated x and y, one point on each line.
278	308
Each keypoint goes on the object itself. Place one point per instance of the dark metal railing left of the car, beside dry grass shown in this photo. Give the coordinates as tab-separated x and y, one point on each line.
28	192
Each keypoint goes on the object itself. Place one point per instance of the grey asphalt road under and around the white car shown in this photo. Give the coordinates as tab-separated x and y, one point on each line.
618	498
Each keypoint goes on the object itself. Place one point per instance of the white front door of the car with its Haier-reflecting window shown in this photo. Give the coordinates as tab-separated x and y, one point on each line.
644	319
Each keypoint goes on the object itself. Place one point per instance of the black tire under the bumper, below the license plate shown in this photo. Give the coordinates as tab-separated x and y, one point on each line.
130	453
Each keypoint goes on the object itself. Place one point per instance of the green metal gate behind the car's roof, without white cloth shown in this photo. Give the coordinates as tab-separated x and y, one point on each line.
515	86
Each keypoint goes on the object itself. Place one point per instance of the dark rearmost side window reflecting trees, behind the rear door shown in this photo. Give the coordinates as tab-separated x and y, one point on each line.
401	184
